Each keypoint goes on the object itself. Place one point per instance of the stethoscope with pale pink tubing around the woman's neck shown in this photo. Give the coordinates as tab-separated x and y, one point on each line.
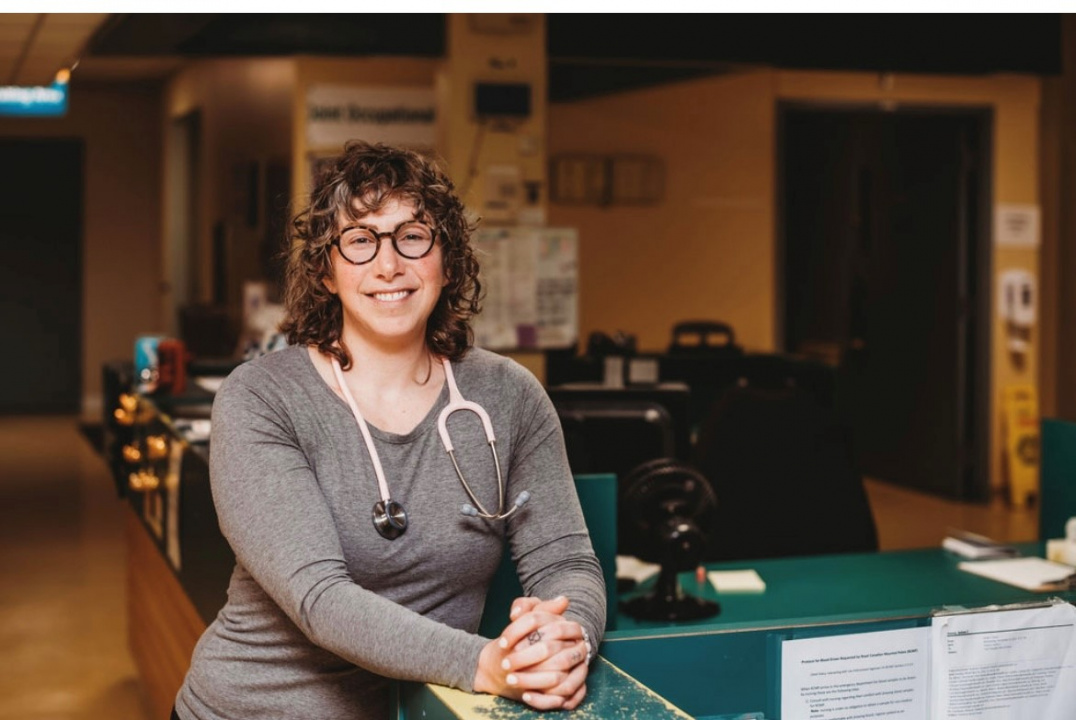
390	518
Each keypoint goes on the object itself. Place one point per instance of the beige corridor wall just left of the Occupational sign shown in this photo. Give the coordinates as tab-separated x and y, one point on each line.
246	107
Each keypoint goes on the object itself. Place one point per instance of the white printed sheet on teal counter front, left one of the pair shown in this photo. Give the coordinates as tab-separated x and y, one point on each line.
862	676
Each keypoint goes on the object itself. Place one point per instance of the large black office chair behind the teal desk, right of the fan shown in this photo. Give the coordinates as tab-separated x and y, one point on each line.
782	462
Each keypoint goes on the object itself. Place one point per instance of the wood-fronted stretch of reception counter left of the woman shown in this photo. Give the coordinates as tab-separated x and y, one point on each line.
179	563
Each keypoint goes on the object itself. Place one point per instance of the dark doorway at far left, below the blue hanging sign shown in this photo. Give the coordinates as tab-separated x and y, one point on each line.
41	276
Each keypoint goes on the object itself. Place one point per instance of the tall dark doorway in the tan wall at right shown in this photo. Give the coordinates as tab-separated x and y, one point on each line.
886	261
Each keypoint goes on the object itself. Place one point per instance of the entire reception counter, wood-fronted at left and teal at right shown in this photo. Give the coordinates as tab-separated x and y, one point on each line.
728	667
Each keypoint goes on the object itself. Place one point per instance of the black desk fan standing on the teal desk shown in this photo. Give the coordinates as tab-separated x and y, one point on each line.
669	510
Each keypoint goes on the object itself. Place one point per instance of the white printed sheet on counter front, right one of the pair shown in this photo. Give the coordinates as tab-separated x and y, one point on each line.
1006	666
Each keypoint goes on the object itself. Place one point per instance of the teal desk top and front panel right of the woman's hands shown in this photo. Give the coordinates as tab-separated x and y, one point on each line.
729	667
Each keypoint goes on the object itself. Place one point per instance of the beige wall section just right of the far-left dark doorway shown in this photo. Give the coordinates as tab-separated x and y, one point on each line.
120	129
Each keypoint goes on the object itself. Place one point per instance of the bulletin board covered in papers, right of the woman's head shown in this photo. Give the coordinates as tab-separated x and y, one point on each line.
531	281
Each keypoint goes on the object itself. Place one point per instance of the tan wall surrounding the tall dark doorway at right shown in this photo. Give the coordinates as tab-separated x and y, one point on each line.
718	140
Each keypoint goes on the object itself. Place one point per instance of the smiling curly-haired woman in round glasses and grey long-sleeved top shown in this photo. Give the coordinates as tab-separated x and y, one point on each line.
333	484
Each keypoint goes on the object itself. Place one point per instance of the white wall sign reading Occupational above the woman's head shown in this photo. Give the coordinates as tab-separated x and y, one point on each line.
398	117
